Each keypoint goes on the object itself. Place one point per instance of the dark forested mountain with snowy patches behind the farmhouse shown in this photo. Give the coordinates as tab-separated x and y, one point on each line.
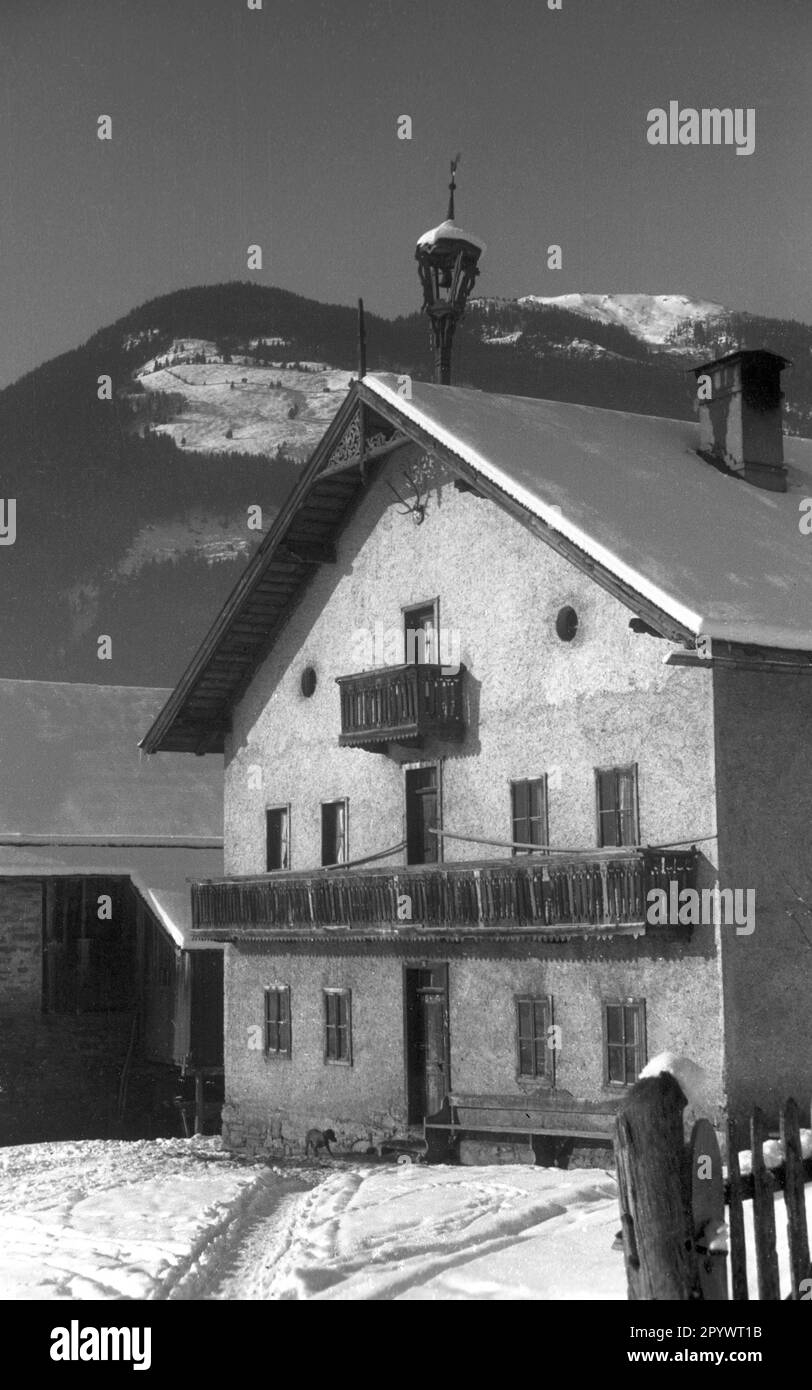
134	514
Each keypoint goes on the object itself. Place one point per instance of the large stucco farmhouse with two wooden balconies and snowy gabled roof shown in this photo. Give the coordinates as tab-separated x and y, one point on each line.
437	882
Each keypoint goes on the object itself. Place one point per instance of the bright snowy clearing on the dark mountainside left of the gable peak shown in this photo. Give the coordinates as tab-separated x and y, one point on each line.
244	397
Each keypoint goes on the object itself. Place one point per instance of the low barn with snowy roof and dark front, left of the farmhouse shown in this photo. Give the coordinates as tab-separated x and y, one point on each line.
104	999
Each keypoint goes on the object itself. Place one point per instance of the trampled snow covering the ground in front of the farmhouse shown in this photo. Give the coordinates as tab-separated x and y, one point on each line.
181	1220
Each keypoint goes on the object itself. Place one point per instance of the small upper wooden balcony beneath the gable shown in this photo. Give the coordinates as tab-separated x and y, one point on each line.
401	704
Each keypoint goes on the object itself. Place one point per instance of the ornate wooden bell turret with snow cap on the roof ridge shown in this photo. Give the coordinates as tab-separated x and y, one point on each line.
447	263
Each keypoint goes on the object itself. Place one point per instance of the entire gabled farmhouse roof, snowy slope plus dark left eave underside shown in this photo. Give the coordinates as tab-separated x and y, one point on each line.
625	497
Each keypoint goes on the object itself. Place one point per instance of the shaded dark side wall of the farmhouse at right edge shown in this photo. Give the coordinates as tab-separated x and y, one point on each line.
764	758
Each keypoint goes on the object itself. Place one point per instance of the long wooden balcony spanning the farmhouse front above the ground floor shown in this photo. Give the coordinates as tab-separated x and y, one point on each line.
596	893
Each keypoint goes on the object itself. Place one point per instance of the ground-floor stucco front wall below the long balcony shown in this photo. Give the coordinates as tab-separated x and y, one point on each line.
272	1103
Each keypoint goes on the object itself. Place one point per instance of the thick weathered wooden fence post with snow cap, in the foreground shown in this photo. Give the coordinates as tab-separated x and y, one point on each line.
654	1193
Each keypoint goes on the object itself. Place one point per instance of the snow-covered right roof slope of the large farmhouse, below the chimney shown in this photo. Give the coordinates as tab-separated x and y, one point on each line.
721	557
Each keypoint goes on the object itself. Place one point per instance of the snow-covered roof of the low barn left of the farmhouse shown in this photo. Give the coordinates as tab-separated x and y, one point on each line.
79	797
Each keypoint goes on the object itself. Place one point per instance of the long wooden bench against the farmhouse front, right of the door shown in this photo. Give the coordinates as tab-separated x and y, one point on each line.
554	1114
